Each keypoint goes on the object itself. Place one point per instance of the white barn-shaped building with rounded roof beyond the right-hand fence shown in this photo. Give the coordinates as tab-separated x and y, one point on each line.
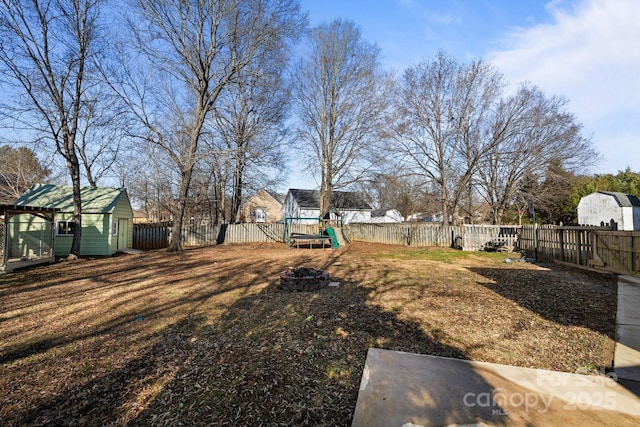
605	207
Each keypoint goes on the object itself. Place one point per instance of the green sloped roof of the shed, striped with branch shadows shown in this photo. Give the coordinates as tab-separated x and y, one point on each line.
94	199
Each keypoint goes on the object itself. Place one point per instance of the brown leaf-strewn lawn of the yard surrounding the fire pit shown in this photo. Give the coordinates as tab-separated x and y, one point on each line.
207	338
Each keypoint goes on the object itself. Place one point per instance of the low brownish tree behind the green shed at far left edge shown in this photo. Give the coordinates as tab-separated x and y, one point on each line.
19	170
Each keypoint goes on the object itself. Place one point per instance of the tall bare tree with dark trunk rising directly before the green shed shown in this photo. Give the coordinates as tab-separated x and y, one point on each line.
46	52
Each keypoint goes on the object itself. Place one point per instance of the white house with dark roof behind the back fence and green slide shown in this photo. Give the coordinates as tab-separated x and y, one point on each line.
303	206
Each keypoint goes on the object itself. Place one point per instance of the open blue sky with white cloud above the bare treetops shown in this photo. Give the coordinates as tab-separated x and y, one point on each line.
587	51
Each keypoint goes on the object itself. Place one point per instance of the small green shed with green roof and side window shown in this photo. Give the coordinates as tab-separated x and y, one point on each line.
107	218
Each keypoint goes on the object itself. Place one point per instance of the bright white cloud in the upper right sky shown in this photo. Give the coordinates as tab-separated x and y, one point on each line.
590	54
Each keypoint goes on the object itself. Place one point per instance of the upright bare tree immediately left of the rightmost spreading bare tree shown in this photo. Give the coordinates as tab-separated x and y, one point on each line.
443	110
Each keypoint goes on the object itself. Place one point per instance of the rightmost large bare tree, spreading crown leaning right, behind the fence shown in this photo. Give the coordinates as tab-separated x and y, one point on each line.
533	132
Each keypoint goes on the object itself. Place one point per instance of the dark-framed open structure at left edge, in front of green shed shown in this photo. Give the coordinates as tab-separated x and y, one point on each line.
24	249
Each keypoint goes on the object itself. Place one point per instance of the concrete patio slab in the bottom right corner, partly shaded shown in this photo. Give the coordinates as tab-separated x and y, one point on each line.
404	389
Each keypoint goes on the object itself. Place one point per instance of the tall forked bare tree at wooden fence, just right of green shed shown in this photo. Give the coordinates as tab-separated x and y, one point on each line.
194	51
